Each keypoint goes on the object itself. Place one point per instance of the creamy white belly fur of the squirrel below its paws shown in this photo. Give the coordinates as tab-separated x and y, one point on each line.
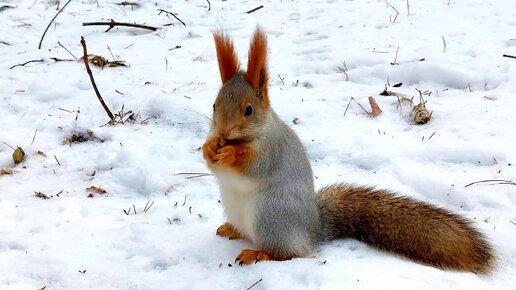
239	195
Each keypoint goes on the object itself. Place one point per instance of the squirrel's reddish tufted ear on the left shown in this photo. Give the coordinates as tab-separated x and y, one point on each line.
226	56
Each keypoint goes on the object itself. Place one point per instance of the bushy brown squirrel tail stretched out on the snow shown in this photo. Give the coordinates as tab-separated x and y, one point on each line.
416	230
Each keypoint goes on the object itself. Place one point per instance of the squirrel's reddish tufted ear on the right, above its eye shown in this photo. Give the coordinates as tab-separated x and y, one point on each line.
257	72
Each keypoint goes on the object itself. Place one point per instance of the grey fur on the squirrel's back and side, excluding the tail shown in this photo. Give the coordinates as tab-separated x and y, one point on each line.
288	194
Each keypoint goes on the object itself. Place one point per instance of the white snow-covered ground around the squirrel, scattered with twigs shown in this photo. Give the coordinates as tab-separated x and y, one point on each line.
72	241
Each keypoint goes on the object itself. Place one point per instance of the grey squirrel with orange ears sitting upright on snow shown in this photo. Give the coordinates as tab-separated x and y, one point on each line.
267	189
